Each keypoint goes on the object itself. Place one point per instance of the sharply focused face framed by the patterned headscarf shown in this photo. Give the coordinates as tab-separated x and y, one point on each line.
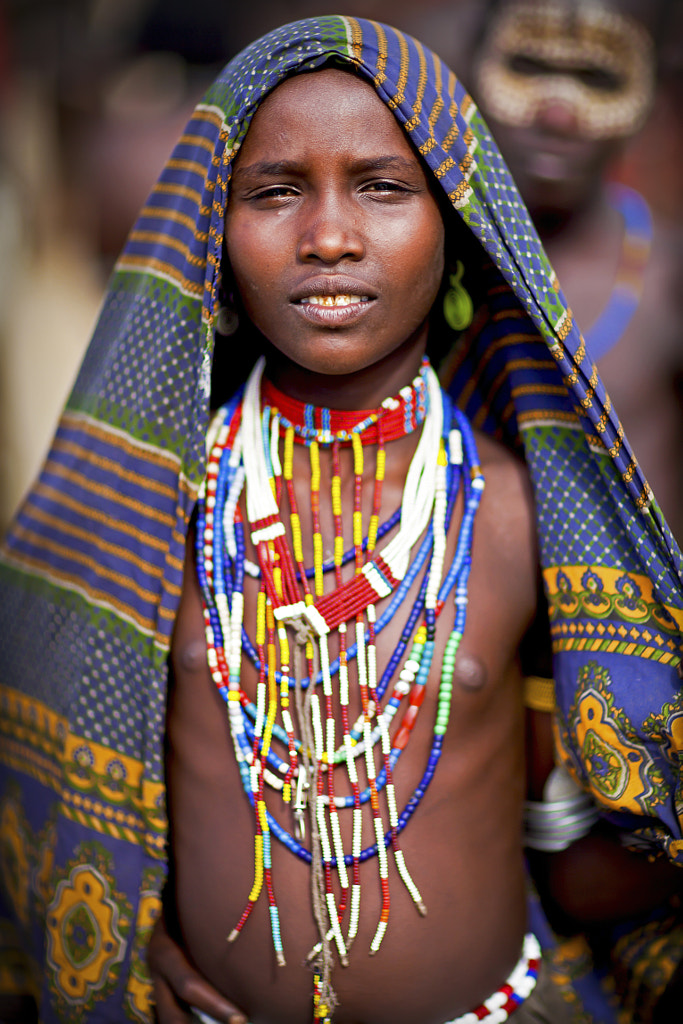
334	238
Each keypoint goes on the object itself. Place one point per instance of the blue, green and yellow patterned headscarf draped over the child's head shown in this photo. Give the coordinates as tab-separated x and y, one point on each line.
92	570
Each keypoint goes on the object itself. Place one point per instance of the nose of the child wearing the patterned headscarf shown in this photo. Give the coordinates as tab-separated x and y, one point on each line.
331	232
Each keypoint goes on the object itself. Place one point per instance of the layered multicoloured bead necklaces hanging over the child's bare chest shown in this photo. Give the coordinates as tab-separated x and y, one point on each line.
296	697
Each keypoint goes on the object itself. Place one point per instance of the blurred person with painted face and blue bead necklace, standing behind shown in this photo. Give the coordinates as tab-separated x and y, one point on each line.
567	87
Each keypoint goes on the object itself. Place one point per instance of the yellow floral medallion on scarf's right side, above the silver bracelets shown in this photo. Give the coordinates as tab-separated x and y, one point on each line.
616	764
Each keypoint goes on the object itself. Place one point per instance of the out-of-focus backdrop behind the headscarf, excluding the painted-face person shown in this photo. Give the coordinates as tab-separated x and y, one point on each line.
93	97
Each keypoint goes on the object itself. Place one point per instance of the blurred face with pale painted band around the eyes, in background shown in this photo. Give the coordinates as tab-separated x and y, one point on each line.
564	84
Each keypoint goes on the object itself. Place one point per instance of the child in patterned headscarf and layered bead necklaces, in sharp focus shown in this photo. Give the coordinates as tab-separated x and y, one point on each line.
345	730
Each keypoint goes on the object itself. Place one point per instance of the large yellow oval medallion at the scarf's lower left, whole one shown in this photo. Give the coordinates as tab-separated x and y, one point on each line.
88	927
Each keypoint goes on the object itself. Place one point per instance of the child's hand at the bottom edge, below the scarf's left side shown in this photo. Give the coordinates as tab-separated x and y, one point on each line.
179	987
